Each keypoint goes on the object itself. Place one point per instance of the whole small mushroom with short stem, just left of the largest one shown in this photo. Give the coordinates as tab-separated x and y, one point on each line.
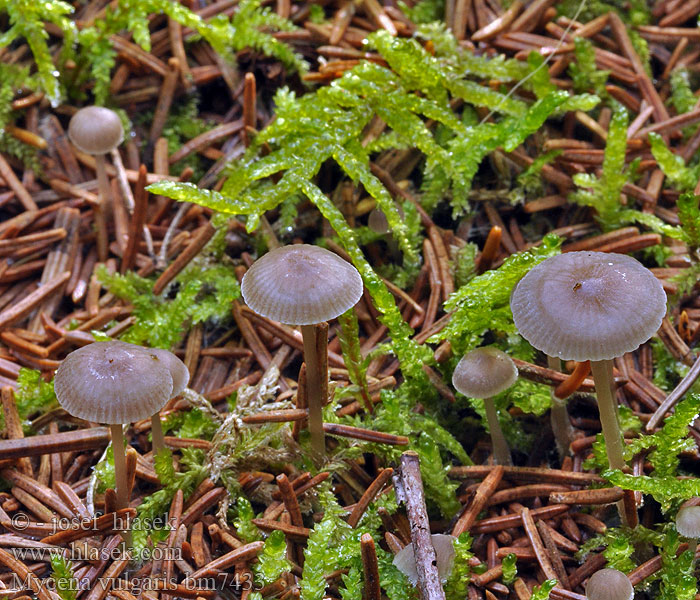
484	373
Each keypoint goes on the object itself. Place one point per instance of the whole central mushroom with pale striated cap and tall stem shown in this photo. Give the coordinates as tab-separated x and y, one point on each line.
304	285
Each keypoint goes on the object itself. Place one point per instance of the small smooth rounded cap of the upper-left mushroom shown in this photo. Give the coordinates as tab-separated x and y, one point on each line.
95	130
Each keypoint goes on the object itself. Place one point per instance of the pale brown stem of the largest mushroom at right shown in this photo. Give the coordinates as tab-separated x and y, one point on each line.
607	407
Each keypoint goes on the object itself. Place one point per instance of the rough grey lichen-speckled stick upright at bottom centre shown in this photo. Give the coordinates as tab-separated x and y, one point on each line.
409	490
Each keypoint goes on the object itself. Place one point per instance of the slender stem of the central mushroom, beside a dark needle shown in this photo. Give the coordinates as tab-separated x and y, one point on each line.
315	356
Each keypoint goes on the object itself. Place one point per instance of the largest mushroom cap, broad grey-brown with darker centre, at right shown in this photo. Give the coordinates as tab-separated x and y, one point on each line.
588	305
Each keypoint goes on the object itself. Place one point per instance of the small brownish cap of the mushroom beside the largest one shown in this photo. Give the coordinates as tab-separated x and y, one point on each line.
484	372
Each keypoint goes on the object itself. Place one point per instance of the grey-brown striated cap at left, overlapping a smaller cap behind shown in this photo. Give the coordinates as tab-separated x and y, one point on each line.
113	382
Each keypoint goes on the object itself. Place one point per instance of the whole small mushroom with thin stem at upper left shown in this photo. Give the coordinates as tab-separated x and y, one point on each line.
97	130
